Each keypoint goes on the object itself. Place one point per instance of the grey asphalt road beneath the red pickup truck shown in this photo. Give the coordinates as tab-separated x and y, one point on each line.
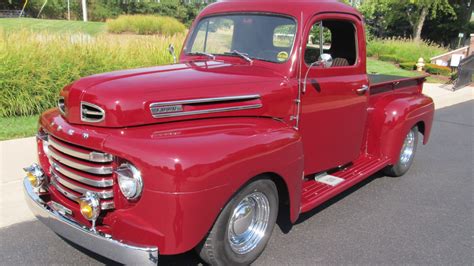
425	217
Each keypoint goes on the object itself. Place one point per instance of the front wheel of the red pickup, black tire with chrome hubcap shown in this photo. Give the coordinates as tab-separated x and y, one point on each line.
244	226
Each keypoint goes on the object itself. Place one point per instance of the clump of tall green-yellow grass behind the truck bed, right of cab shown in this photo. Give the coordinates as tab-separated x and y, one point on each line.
402	50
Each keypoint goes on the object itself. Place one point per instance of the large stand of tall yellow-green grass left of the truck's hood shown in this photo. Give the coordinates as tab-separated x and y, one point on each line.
35	66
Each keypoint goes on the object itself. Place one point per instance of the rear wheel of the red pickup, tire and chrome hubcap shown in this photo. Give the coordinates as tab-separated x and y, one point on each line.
407	155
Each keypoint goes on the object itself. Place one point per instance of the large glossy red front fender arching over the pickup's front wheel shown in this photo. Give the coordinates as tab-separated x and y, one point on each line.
195	167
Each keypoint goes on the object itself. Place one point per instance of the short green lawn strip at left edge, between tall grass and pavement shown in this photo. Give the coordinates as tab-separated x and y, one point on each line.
17	127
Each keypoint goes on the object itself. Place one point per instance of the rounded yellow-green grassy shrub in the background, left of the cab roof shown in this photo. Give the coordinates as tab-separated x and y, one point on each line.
145	25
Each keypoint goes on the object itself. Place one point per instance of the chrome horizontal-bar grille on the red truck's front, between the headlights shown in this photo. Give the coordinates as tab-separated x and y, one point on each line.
76	170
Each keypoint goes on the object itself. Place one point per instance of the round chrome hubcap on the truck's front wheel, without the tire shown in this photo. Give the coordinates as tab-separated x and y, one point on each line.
248	223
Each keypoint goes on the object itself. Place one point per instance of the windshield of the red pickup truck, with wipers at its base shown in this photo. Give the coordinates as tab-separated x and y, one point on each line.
262	37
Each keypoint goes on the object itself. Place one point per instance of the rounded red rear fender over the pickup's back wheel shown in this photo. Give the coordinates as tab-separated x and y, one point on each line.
392	118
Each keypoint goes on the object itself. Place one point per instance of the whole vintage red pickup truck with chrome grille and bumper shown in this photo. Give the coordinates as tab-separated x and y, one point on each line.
268	110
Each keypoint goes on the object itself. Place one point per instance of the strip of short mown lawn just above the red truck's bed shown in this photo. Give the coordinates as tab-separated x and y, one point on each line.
380	67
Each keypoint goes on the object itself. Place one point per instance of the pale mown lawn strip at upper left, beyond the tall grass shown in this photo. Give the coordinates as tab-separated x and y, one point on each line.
54	26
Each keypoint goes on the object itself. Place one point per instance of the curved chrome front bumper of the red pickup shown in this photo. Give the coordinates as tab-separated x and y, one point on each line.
80	235
